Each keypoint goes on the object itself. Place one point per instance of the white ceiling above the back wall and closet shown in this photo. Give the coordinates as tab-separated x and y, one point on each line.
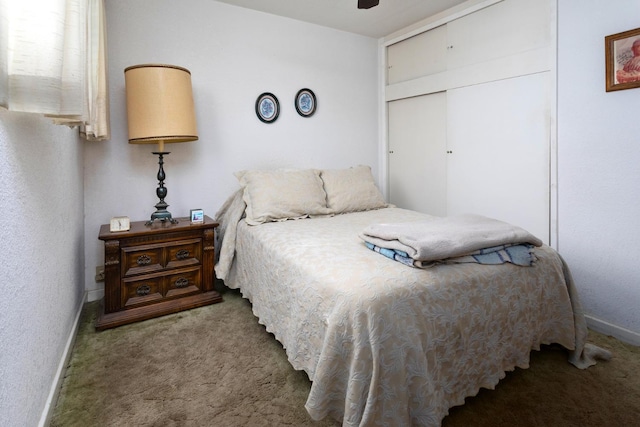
382	20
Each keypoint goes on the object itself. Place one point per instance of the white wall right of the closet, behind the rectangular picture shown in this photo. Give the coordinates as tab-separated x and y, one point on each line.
599	166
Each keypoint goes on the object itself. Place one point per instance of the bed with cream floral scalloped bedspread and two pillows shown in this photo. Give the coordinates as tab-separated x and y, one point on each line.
384	343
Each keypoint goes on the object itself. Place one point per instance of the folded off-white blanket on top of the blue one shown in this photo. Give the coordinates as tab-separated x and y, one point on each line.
446	237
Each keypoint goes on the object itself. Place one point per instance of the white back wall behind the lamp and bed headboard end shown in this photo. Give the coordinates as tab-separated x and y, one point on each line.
234	54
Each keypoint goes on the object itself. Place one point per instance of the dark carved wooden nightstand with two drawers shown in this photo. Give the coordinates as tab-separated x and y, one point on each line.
157	269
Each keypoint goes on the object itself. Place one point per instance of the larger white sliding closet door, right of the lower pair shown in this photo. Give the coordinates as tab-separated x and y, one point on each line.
498	143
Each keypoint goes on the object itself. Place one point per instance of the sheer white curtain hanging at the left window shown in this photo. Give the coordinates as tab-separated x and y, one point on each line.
53	62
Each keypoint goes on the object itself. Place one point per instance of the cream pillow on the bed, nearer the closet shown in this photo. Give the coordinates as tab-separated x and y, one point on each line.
351	190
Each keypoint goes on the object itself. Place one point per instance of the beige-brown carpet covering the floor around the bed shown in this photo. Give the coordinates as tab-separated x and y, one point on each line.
216	366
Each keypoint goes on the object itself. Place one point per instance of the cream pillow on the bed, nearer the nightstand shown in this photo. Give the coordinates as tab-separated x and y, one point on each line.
278	195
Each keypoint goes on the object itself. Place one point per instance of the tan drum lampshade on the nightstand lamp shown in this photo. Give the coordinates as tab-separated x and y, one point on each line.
159	104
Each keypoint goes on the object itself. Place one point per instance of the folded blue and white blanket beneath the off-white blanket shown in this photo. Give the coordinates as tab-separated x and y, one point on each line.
521	255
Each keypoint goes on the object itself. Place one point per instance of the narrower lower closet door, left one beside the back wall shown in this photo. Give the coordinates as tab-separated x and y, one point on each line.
417	153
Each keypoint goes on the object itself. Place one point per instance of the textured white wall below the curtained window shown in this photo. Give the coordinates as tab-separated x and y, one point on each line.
41	267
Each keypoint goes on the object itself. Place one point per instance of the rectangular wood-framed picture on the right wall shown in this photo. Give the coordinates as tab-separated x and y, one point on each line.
622	56
